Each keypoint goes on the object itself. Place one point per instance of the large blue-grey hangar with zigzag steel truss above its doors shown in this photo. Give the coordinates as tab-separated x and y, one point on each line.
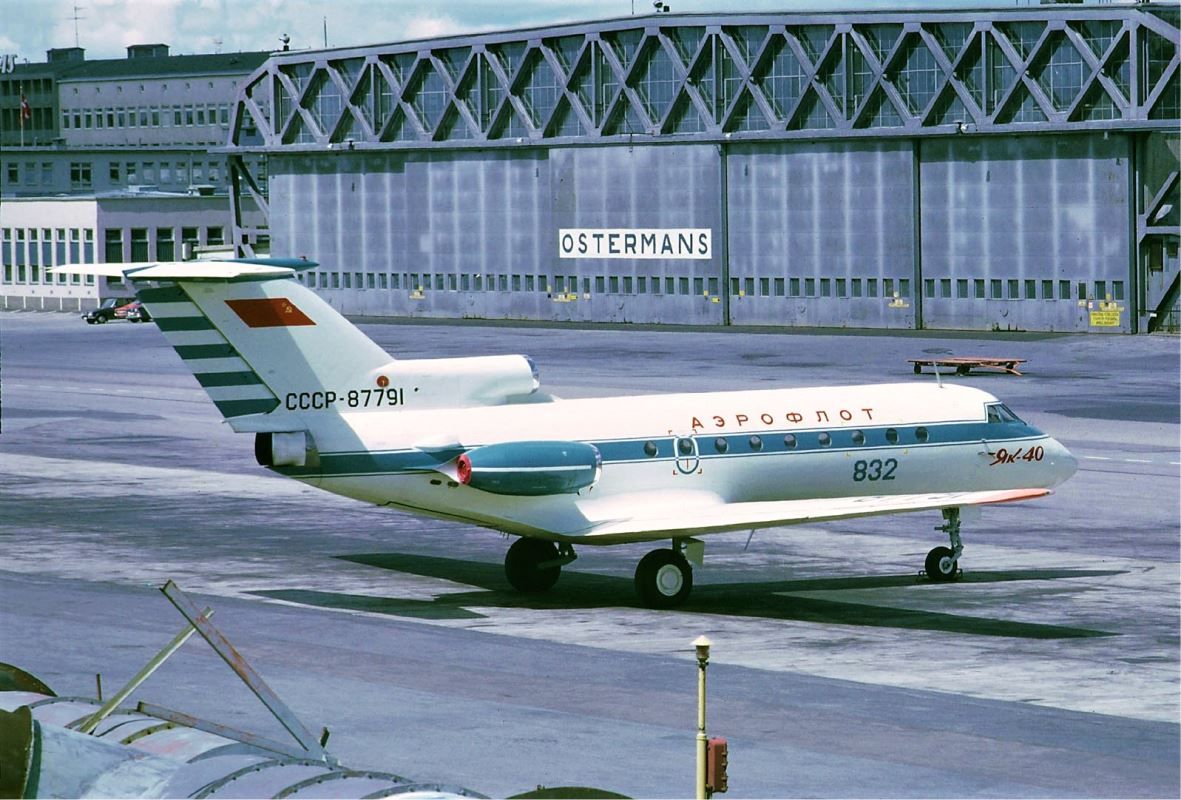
1012	168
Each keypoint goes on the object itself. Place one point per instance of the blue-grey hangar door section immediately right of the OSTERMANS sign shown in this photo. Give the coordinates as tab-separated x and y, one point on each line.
821	235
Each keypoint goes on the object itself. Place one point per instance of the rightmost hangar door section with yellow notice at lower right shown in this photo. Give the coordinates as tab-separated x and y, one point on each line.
1027	233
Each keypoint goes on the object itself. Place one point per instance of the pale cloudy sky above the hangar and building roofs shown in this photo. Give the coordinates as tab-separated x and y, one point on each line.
106	28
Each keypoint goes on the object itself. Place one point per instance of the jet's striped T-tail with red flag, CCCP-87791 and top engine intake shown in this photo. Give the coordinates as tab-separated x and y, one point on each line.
265	347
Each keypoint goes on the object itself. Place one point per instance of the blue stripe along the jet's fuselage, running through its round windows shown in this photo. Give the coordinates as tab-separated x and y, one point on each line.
738	445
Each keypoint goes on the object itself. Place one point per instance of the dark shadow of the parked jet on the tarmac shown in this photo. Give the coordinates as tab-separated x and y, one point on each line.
766	600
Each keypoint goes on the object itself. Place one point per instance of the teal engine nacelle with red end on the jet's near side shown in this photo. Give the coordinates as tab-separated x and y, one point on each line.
531	469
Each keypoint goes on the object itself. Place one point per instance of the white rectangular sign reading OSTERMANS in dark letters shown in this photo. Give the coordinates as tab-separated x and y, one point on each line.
635	244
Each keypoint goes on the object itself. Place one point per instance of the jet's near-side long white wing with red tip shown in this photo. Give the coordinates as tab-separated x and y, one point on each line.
680	515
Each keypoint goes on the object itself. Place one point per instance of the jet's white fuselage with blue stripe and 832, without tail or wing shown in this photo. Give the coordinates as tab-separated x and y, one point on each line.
742	447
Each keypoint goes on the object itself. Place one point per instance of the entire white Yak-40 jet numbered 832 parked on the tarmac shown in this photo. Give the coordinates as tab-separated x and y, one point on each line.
475	440
